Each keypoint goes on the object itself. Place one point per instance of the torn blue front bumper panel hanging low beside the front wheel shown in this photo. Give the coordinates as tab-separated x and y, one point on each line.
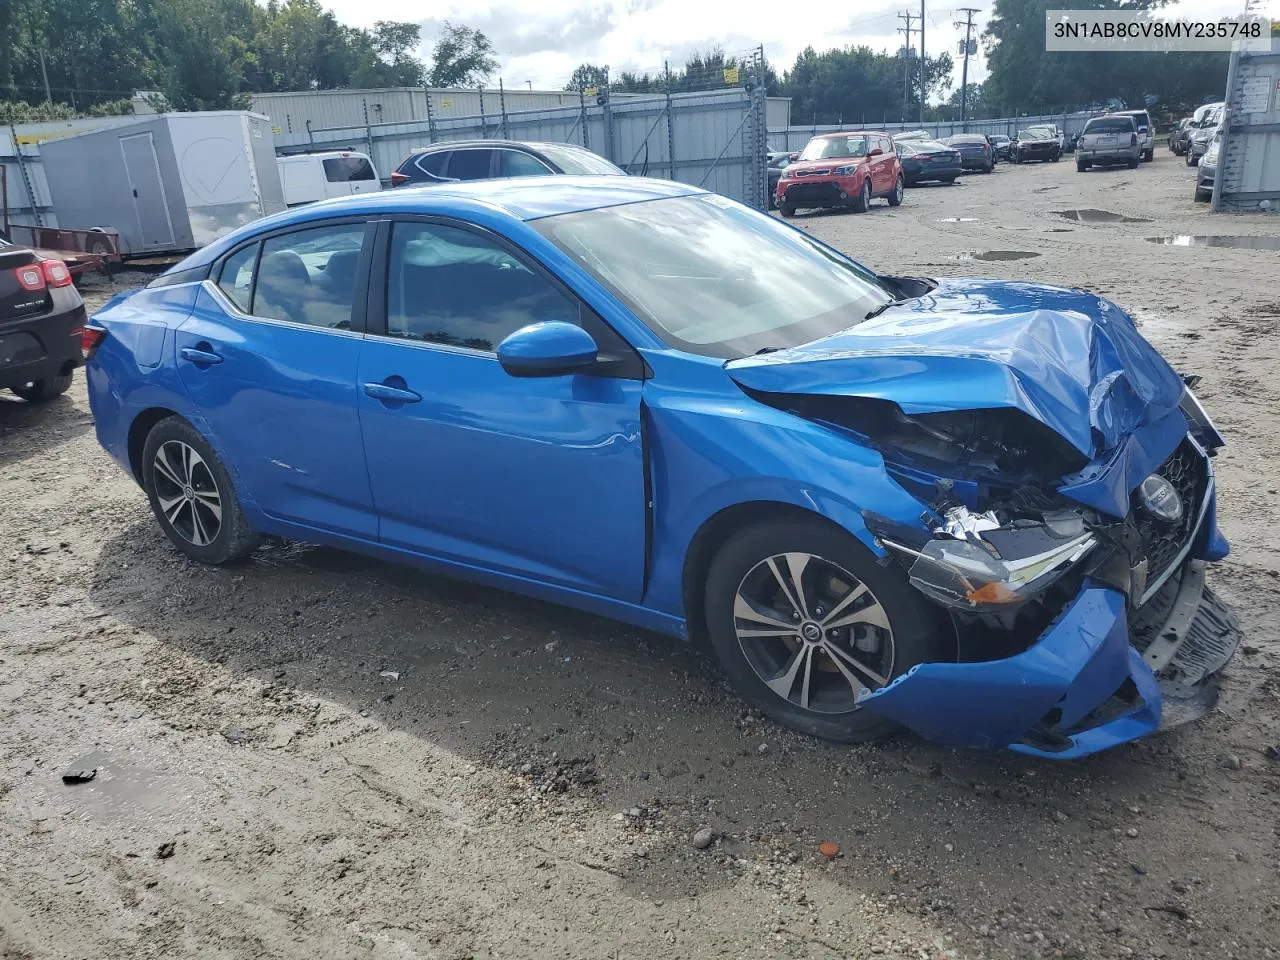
1077	665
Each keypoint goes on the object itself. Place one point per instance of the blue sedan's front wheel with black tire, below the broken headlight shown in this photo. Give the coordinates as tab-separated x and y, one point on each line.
912	630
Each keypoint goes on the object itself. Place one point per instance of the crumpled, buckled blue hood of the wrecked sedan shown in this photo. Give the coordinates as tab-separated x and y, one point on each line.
1069	359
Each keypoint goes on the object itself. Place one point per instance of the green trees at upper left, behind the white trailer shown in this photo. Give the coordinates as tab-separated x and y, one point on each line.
200	54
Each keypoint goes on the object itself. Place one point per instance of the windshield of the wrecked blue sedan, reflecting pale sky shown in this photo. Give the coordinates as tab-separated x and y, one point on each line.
717	278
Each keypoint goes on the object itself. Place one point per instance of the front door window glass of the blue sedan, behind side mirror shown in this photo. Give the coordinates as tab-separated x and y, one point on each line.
451	286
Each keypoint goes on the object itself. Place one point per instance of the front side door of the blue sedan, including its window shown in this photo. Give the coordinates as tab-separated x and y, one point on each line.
540	478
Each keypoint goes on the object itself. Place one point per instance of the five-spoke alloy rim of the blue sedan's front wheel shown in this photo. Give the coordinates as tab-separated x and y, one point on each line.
813	633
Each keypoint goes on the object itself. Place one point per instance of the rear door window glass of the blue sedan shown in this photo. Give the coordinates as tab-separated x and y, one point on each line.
309	277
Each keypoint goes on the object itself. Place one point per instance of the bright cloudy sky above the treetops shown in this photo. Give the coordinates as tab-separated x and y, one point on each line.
540	43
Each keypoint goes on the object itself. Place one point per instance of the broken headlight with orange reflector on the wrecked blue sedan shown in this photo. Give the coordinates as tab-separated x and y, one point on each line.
980	565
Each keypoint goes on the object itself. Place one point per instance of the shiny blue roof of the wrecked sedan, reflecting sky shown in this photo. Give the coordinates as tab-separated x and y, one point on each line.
514	198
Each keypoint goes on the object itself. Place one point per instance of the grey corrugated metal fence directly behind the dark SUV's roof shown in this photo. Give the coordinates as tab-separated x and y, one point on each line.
712	140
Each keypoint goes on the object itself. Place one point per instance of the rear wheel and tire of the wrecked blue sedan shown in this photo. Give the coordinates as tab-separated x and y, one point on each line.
204	499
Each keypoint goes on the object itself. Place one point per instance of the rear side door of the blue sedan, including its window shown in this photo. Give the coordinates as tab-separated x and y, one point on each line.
269	359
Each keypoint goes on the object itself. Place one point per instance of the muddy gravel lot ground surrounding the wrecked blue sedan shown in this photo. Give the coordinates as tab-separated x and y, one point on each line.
317	756
